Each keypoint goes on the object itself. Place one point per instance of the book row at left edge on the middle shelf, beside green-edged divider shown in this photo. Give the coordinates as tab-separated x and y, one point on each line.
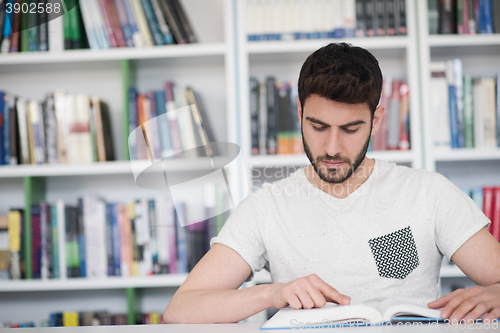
63	128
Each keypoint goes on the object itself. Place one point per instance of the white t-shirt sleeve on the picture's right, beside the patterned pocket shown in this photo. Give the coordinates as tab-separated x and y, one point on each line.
456	216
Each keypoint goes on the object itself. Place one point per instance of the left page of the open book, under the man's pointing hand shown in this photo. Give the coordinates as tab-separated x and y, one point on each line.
324	316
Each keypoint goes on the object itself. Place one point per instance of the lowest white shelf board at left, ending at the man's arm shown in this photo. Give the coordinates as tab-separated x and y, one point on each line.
155	281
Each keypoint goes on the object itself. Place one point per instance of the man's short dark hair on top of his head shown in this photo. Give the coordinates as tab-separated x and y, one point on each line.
342	73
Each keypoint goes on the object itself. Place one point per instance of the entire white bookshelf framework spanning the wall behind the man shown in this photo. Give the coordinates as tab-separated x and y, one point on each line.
219	67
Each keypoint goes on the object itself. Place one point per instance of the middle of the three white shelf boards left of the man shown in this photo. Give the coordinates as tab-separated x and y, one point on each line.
98	168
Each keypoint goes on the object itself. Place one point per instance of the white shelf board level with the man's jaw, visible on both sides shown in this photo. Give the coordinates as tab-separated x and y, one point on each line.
262	161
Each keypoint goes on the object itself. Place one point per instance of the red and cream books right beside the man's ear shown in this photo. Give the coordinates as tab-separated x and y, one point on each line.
394	131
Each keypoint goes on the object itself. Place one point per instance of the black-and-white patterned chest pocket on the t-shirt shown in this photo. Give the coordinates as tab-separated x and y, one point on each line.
395	254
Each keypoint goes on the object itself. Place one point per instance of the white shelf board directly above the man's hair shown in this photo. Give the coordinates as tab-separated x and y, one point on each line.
310	45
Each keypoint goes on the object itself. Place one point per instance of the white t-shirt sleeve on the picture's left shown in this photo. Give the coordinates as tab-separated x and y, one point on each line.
241	232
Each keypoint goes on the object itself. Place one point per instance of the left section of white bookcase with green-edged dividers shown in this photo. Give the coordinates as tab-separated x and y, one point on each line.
207	66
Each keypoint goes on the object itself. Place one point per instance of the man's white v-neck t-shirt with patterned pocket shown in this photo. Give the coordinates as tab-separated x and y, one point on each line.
385	240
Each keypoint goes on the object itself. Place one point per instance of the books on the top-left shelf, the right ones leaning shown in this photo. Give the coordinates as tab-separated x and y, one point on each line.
98	24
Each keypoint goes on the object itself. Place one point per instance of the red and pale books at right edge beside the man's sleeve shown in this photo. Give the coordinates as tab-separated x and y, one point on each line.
488	199
